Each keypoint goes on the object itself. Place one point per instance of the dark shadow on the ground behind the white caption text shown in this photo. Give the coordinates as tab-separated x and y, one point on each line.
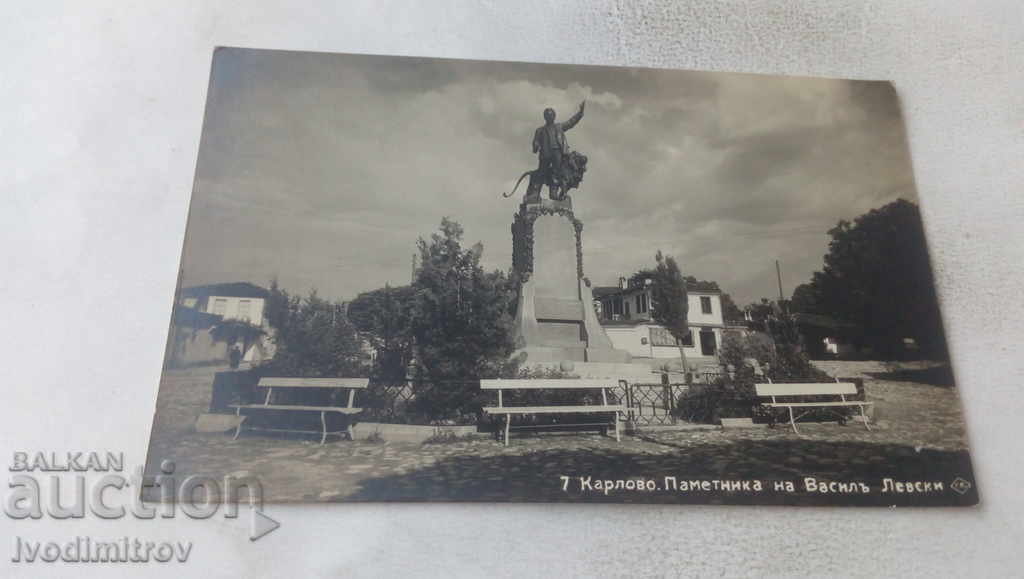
538	476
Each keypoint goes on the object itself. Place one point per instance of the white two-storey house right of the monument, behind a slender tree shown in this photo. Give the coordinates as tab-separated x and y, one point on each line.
625	313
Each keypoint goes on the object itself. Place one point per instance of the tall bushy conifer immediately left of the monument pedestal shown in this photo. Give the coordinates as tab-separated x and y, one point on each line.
461	320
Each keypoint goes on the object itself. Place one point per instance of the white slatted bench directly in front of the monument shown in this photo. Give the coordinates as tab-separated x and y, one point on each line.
525	385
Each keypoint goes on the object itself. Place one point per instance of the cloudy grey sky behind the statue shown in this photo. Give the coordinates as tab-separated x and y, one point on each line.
323	171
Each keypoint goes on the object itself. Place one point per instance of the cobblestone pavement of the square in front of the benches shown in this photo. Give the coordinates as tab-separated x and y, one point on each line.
919	435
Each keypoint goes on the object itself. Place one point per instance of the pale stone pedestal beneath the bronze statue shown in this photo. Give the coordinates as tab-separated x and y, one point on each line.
556	319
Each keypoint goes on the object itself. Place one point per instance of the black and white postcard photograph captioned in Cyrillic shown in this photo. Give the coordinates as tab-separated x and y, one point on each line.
411	279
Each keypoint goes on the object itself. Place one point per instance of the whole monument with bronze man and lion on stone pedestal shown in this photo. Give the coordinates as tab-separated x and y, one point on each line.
556	319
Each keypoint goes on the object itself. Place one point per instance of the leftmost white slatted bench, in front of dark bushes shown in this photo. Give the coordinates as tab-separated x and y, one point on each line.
269	405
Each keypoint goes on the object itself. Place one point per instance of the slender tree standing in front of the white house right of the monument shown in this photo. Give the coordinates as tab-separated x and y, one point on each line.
670	304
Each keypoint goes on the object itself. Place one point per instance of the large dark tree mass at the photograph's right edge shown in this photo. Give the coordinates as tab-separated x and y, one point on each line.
877	274
